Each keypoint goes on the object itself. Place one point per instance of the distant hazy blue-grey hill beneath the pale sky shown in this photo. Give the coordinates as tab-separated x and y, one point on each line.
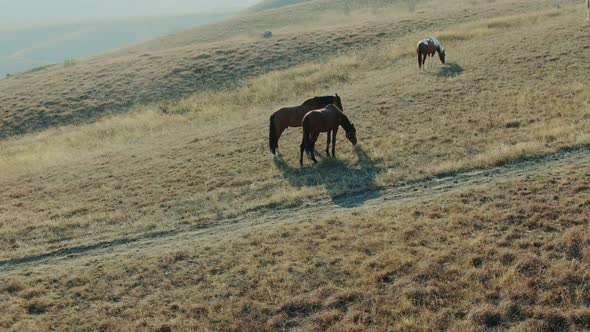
29	47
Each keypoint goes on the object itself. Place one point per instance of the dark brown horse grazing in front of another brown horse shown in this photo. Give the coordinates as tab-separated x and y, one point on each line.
324	120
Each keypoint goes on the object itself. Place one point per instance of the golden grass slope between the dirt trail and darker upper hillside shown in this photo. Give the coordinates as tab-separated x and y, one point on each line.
207	159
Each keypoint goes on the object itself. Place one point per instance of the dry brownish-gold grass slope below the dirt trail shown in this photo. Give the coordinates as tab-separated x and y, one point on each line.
511	255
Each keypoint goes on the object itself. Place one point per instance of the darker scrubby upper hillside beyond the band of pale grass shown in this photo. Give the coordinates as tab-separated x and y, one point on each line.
187	62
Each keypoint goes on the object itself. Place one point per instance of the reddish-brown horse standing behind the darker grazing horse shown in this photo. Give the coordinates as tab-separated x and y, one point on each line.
293	116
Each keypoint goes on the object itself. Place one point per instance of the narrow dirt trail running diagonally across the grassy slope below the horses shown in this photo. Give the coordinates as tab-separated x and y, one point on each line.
418	189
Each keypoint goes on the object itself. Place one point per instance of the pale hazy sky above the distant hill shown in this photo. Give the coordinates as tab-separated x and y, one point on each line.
49	11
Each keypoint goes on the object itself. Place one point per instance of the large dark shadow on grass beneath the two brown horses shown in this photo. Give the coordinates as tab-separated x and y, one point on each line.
347	184
